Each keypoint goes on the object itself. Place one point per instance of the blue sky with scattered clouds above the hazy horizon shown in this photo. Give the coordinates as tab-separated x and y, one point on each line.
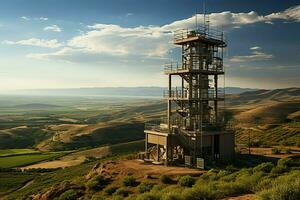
110	43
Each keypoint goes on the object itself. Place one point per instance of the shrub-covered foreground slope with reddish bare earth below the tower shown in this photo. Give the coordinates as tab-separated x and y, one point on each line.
95	180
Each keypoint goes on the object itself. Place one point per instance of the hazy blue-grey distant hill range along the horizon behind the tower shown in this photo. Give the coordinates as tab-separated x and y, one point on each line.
114	91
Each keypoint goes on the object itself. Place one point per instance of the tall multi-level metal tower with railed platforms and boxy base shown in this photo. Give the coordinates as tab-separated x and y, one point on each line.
194	127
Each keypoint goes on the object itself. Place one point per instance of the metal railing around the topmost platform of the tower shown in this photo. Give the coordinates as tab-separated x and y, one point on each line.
201	31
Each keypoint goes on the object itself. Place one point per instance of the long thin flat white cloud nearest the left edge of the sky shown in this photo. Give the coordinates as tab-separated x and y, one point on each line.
35	42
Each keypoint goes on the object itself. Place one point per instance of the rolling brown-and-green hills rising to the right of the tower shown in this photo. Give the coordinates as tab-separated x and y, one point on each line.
271	117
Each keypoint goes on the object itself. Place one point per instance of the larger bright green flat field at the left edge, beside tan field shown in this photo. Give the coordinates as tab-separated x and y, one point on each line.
23	160
